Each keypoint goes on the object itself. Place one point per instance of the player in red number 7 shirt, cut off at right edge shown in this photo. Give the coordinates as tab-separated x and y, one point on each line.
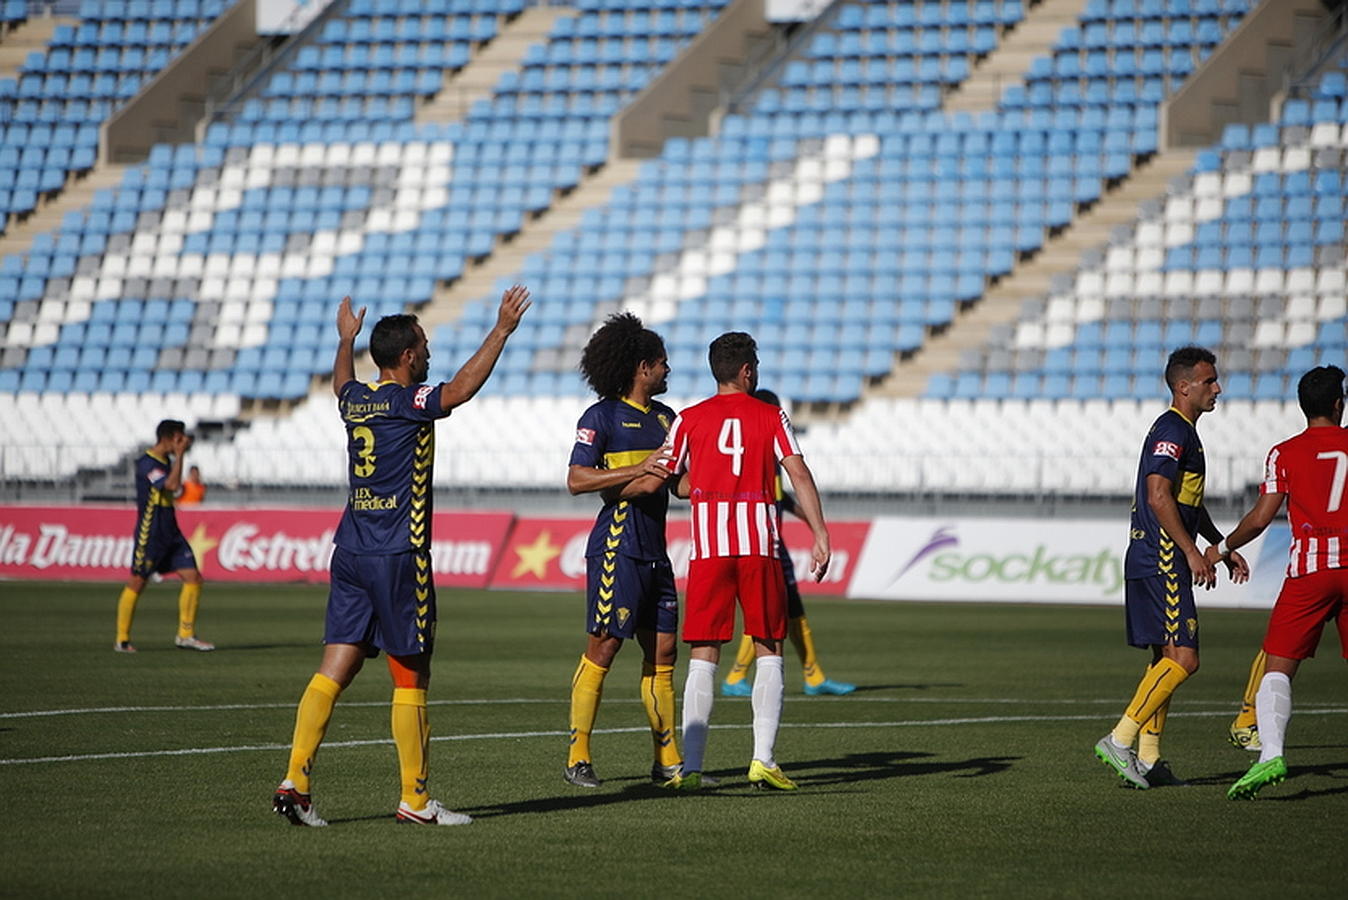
1308	471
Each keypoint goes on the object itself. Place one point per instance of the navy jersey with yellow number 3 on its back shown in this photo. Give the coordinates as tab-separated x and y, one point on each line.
390	456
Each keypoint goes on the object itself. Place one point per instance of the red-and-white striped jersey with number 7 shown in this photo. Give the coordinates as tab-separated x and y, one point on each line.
1312	470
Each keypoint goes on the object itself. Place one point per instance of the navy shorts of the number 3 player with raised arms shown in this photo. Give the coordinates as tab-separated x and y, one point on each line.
382	602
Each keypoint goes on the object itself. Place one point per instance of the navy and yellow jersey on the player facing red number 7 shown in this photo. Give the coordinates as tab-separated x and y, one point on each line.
1175	452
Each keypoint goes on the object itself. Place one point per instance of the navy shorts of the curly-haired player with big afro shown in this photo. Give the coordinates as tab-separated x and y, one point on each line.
625	595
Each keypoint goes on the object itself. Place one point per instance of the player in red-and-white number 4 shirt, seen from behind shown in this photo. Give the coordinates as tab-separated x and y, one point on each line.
729	449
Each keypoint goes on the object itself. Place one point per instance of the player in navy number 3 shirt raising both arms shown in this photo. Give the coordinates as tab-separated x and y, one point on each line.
382	595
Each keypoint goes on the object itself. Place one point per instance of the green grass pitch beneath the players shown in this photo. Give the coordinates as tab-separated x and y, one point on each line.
962	767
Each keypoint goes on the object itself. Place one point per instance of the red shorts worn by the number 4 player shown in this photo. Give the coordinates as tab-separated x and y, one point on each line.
714	587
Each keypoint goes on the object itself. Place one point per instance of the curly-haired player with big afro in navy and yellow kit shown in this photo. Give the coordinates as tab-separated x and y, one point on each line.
630	583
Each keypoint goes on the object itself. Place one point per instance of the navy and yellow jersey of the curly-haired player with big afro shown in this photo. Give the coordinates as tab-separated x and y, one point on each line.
613	435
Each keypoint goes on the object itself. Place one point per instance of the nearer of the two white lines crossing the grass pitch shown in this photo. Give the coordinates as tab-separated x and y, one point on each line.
985	720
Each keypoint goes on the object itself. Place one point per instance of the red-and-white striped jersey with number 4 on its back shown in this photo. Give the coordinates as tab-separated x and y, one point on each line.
731	445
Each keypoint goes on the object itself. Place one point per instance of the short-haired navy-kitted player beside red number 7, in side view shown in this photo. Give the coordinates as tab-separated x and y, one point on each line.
1164	564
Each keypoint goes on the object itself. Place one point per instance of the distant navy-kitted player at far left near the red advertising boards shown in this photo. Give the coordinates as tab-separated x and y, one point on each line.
160	546
